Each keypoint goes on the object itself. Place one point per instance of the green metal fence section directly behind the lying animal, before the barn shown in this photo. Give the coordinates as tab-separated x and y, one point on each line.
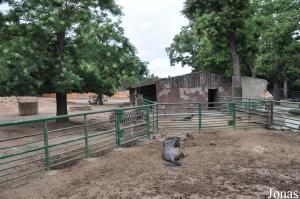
219	115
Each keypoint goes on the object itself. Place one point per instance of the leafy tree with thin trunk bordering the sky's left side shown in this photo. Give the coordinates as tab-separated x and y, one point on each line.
109	61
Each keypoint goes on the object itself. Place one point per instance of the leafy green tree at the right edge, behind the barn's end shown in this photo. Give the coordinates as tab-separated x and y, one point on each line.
278	55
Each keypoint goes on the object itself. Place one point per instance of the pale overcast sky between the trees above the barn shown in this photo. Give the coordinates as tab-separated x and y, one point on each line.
151	26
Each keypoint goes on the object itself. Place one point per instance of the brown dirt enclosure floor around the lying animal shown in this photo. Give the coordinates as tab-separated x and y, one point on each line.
231	164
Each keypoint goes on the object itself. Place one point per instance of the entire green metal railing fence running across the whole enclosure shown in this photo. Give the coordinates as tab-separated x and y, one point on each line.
30	146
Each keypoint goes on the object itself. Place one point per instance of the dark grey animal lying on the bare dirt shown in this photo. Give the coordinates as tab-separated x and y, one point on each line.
171	150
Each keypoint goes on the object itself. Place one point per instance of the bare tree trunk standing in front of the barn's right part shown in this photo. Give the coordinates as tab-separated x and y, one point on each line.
237	90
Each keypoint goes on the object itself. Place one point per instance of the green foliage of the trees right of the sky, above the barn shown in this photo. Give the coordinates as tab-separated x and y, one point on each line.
265	33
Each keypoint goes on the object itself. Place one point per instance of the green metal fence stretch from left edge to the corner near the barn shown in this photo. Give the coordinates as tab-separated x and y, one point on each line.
30	146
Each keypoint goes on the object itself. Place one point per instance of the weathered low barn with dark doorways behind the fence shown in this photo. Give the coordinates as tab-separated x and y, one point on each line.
195	87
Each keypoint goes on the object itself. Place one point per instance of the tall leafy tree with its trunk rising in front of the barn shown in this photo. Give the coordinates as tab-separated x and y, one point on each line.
211	41
